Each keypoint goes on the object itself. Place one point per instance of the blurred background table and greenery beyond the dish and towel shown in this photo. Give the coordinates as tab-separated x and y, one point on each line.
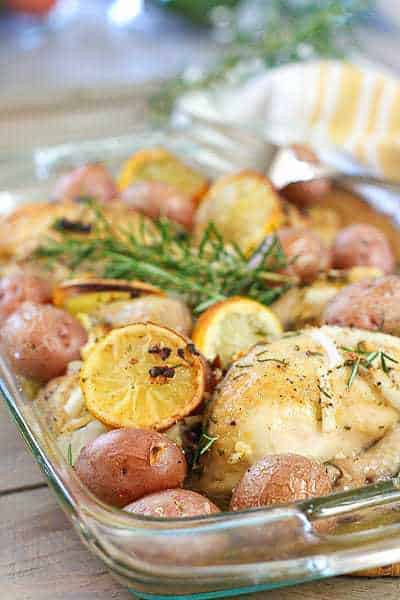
73	69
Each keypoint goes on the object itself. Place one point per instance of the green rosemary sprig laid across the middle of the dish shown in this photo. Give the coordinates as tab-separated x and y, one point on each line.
162	255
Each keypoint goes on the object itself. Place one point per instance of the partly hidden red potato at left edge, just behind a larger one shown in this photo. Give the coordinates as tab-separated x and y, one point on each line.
20	287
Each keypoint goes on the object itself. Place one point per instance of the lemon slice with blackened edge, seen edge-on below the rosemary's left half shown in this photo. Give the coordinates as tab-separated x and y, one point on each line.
86	295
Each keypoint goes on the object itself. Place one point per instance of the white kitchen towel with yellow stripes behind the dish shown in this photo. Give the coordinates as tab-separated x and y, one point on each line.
354	107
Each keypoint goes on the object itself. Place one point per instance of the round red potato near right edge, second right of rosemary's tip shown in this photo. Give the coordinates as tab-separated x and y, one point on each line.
362	245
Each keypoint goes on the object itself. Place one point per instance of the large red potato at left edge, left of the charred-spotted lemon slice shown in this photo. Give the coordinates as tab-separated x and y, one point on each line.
40	340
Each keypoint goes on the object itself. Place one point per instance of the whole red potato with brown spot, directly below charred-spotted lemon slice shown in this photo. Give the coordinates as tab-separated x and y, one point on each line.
124	465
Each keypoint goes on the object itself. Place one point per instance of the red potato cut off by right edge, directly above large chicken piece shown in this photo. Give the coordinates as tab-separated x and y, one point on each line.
370	304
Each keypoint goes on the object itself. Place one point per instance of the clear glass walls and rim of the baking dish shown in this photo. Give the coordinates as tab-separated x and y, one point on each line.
207	557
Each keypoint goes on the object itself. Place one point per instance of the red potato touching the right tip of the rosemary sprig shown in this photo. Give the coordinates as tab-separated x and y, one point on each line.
307	251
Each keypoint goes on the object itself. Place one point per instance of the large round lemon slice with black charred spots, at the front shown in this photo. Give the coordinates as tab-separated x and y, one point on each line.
143	375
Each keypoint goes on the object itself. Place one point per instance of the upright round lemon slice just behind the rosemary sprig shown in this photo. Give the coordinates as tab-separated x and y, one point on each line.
244	208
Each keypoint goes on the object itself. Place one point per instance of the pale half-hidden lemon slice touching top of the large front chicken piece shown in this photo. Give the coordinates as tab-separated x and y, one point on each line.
233	326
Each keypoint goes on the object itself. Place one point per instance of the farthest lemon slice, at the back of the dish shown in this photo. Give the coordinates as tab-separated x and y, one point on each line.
157	164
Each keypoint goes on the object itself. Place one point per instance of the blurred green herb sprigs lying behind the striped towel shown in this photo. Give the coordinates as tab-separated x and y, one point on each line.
286	31
